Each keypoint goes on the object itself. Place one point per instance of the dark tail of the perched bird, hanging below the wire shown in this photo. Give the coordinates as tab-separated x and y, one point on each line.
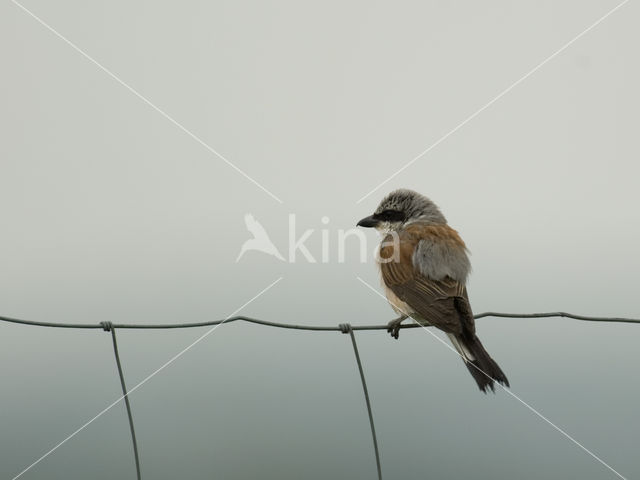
482	367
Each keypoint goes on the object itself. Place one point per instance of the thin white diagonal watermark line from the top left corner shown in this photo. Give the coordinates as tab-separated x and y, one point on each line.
144	99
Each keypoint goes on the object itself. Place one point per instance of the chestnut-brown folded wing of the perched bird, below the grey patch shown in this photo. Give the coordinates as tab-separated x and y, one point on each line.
442	302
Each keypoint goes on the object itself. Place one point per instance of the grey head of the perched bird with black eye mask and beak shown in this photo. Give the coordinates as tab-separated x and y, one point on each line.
400	208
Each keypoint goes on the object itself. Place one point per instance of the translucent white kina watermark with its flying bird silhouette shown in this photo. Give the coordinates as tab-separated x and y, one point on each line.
330	241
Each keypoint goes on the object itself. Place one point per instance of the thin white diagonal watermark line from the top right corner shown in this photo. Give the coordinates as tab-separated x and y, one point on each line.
495	99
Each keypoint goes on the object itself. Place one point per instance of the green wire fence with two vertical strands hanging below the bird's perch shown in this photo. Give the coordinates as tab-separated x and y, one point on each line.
343	328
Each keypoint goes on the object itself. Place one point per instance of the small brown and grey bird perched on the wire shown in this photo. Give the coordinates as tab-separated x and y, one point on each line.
424	265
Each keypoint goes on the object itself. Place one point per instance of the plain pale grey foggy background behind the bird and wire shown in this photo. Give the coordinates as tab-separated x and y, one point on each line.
112	213
